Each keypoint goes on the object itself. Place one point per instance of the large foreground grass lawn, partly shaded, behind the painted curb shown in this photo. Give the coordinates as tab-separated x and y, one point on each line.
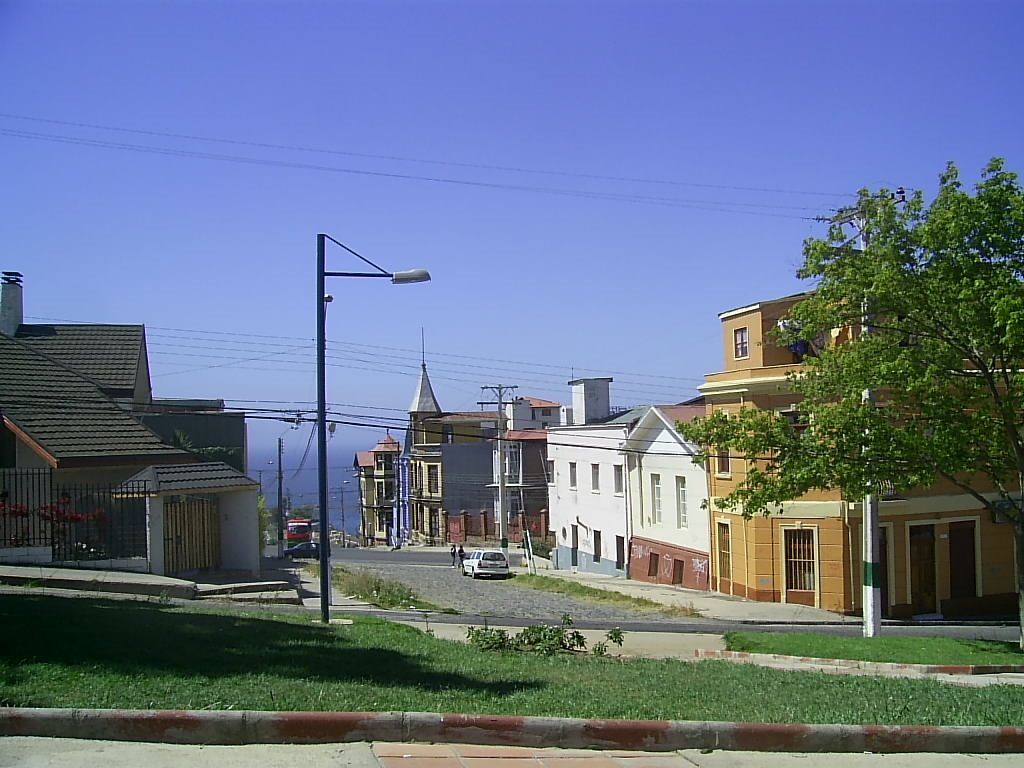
109	654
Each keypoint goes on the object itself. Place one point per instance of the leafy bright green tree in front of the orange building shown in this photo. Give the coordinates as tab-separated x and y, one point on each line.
945	286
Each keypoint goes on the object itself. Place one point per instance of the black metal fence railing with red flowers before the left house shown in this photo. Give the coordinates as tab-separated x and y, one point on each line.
61	522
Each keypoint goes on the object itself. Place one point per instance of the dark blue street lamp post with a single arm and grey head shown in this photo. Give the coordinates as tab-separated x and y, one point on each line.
323	300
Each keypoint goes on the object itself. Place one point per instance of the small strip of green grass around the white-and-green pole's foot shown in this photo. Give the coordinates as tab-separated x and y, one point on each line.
887	649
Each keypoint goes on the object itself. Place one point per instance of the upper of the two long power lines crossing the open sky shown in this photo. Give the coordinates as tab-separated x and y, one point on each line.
405	159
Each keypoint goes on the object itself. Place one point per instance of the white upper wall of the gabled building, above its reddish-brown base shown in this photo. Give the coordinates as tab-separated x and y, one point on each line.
657	449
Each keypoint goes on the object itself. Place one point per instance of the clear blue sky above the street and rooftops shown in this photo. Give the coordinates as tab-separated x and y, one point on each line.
678	153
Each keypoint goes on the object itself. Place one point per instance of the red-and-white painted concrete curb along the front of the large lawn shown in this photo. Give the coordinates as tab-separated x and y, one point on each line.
235	728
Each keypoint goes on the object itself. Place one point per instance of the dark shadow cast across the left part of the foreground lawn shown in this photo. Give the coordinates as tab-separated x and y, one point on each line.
137	638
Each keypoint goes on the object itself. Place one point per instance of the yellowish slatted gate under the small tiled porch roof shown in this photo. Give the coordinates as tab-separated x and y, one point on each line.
192	535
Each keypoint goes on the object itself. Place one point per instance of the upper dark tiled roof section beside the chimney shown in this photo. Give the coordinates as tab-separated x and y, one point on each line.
108	355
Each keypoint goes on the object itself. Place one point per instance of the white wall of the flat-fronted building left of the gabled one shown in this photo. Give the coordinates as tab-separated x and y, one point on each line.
605	510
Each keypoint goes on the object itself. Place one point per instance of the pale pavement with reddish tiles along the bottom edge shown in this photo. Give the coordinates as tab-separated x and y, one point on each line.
26	752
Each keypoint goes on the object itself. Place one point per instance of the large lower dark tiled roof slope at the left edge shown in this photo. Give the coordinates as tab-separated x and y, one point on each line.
68	415
